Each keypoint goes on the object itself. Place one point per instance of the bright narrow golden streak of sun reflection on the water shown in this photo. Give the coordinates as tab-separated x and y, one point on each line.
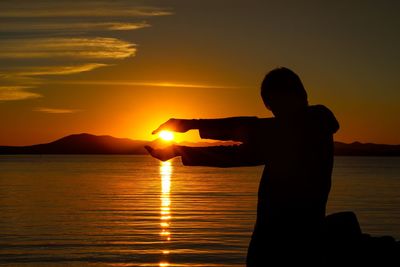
165	208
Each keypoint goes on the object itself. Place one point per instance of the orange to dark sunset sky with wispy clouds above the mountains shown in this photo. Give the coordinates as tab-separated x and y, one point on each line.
121	68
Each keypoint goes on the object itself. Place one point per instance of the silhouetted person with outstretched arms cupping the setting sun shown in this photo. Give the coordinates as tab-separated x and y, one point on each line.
296	147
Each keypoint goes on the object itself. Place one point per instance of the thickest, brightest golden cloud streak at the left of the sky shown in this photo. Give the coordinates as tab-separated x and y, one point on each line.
80	48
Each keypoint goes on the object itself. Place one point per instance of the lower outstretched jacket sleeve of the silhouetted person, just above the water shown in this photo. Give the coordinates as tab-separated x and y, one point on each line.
222	156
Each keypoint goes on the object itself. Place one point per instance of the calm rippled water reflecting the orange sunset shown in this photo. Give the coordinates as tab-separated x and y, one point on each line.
134	211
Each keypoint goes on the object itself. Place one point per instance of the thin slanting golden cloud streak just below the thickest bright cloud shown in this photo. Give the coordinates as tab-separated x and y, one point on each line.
51	70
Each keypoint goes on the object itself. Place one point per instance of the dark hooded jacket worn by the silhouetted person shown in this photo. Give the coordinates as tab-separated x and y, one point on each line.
298	156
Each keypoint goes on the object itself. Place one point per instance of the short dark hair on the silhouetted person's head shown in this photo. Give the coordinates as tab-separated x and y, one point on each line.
282	80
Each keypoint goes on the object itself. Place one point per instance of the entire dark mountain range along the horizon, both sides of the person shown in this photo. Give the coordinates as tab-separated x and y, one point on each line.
92	144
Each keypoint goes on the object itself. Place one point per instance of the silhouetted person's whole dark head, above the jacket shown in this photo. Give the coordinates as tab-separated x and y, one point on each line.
283	92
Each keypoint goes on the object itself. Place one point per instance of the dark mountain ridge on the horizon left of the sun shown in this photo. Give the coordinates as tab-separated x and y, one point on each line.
81	144
